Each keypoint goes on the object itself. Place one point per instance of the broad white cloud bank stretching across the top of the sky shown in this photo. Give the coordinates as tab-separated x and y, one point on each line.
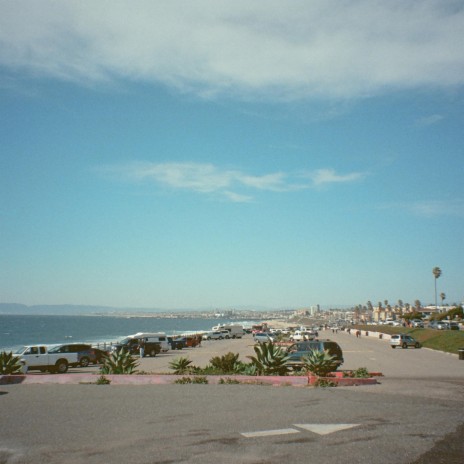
261	48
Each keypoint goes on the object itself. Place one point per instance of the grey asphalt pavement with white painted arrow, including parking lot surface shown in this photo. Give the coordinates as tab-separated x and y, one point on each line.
414	415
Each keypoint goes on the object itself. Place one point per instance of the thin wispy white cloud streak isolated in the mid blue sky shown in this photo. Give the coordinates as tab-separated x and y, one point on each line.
230	184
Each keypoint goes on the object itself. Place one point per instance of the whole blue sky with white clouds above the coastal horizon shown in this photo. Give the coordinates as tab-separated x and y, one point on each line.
217	155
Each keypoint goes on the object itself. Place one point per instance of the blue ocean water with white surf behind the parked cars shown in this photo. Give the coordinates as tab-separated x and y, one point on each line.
16	331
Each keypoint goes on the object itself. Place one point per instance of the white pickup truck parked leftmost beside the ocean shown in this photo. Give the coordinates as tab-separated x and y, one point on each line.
42	358
